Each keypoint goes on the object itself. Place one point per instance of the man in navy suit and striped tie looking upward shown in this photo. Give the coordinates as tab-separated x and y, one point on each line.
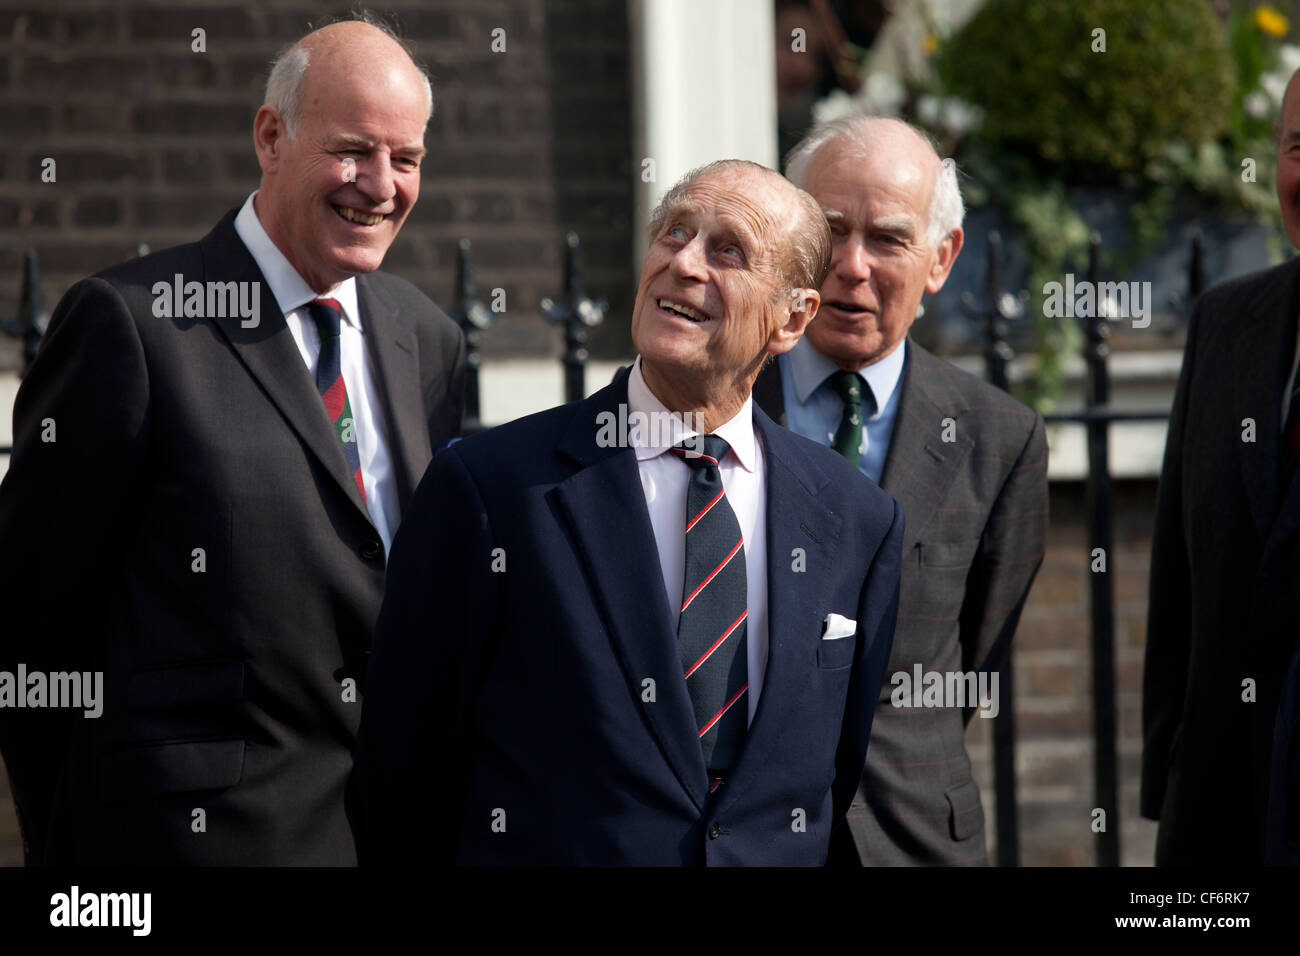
658	644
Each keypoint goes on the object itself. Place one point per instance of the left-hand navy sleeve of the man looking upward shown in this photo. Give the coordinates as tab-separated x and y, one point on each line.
426	667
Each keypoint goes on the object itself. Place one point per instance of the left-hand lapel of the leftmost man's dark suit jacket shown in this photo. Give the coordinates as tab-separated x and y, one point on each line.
271	356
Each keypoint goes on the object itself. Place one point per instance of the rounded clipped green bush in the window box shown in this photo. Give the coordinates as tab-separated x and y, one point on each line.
1167	75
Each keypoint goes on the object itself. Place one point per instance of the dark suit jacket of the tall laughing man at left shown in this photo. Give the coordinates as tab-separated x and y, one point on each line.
227	681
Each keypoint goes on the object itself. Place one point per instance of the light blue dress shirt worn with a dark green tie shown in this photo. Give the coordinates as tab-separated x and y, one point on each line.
814	410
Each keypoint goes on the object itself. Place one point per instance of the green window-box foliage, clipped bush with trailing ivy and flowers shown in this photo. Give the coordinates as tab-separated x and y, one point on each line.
1172	110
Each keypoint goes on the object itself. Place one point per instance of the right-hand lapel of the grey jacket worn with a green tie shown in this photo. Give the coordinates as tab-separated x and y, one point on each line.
921	465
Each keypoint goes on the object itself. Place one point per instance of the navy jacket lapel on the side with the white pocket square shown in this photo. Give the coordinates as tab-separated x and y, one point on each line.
796	518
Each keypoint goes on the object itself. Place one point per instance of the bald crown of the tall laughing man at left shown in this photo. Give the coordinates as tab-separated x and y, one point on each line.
349	49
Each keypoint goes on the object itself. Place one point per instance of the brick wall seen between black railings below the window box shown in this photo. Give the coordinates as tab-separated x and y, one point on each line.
1054	687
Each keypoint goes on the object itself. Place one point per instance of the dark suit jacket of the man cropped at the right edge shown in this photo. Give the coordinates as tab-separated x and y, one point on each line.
1225	602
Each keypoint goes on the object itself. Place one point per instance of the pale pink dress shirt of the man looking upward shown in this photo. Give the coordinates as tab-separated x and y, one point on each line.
665	478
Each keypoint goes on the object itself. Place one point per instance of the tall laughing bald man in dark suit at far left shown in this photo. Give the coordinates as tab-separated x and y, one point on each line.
213	453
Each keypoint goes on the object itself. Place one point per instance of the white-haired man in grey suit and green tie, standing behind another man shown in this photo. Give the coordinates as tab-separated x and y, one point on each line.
967	462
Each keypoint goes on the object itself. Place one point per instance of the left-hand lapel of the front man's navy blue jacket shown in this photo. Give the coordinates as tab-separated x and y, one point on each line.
605	507
